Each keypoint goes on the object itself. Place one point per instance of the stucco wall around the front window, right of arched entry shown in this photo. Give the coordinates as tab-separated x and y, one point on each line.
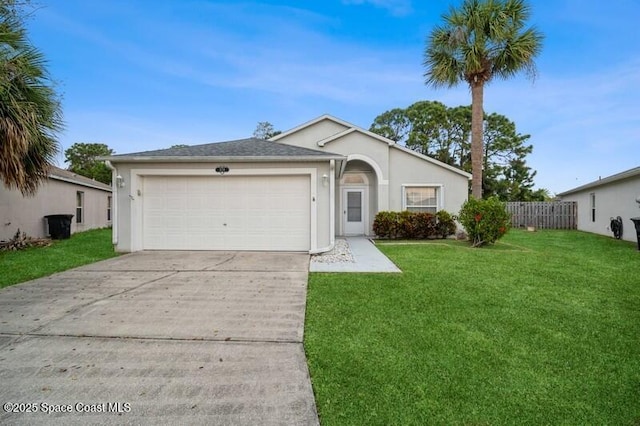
409	169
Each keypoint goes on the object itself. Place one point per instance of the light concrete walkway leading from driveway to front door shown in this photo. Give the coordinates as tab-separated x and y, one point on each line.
367	258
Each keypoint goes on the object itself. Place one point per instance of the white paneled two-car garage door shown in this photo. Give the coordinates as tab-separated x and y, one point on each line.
226	213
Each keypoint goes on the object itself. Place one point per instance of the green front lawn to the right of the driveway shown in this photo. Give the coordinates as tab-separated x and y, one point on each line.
542	328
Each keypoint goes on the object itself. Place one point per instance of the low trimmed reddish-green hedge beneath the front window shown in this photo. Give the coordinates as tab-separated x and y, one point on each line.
410	225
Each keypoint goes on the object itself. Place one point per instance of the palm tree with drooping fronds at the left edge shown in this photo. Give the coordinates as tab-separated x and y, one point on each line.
30	113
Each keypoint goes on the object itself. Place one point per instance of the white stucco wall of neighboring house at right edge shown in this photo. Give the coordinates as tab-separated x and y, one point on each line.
612	200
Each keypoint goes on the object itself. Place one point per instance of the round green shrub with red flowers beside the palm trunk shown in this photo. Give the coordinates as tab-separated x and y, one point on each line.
486	221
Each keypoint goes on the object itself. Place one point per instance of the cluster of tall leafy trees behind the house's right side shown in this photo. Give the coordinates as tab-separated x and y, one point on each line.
443	133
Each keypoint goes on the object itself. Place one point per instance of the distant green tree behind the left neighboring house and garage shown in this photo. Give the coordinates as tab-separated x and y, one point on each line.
83	160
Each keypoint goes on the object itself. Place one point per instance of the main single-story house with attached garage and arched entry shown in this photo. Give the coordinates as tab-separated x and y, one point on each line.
295	192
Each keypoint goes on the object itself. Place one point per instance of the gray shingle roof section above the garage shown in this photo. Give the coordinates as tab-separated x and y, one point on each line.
246	148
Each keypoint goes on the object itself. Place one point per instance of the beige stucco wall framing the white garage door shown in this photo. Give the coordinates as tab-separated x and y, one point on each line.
130	202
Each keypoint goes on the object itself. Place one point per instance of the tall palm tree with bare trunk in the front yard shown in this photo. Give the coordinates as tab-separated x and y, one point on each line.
481	40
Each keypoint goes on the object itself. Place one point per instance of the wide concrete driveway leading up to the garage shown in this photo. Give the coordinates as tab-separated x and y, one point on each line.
159	338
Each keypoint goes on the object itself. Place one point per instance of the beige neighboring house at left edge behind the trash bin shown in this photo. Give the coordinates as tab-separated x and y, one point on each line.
63	192
